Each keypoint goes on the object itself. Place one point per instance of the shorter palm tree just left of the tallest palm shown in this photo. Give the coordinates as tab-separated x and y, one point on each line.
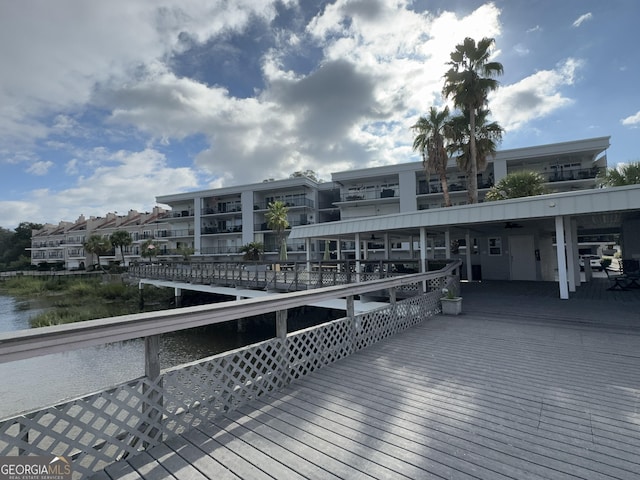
431	132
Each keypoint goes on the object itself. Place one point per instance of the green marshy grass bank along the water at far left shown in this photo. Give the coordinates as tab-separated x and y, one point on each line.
67	300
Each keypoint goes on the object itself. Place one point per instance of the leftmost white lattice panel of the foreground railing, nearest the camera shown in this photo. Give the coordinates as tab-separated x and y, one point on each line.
93	431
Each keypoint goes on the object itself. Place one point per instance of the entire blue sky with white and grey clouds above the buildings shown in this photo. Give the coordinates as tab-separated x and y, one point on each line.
106	104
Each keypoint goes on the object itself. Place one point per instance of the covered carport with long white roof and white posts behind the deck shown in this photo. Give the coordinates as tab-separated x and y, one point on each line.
518	235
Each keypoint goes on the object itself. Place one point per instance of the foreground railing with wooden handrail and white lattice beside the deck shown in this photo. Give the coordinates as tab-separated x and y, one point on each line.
98	429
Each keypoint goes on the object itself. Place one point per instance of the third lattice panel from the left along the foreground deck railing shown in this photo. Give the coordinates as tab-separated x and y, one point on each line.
315	347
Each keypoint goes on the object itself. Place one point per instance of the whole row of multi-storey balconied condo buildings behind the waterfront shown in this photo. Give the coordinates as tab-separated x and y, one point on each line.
214	224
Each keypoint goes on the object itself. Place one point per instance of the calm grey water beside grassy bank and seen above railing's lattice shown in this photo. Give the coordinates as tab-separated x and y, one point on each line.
42	381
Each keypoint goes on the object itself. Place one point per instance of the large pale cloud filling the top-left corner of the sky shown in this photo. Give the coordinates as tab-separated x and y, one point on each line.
55	53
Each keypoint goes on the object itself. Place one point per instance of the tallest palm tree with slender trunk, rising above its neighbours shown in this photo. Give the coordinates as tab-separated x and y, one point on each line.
468	82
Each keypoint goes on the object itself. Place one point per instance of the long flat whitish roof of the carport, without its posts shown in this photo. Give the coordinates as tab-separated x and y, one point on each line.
590	206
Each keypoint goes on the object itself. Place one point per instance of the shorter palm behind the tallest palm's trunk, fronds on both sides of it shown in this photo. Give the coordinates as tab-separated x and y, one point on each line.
487	137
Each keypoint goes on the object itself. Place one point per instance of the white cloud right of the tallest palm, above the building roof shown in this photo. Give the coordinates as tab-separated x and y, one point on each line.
535	96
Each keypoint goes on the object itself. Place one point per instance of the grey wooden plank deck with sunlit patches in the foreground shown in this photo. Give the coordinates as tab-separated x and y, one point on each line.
543	392
